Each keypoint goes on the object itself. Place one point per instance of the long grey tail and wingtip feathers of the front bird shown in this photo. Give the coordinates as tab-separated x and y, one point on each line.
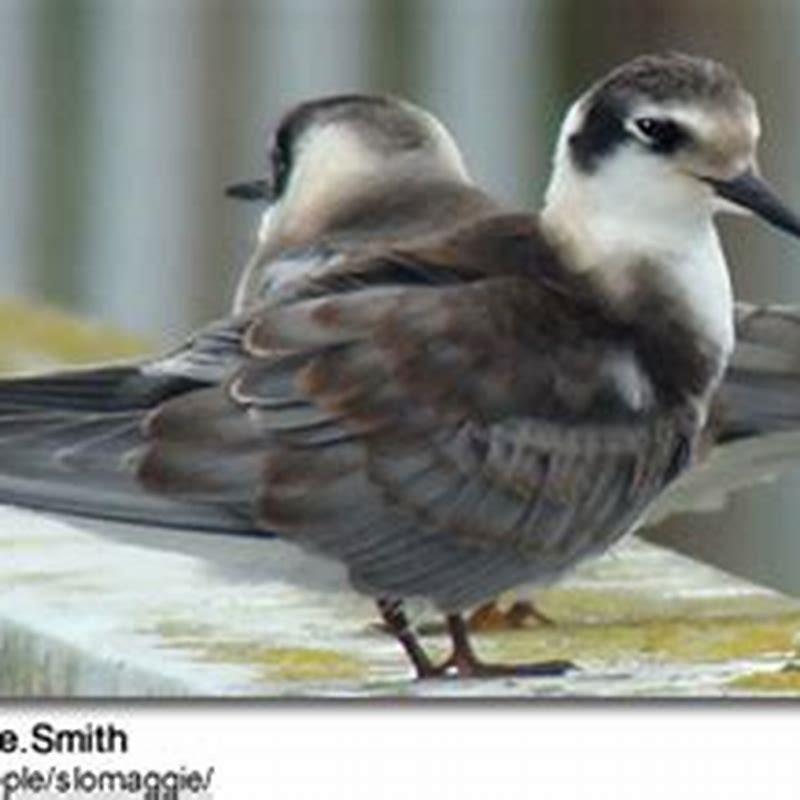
69	442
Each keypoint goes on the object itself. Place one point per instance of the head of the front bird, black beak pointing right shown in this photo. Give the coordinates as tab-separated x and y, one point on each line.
670	136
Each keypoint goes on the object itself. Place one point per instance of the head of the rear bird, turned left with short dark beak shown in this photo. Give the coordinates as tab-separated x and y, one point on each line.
333	151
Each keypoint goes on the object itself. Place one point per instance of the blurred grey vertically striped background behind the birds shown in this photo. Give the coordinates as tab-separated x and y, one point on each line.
122	121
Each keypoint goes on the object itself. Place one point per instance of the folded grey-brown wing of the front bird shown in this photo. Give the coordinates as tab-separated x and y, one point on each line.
442	438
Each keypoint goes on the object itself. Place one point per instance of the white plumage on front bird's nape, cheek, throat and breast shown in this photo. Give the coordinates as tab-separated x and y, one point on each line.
628	216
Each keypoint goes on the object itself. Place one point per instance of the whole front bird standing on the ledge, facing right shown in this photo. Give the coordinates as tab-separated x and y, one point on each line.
448	413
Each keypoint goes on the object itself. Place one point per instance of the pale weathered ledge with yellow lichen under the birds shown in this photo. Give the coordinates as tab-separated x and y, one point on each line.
81	615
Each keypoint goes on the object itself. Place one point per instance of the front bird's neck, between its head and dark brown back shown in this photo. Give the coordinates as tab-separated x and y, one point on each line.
660	247
